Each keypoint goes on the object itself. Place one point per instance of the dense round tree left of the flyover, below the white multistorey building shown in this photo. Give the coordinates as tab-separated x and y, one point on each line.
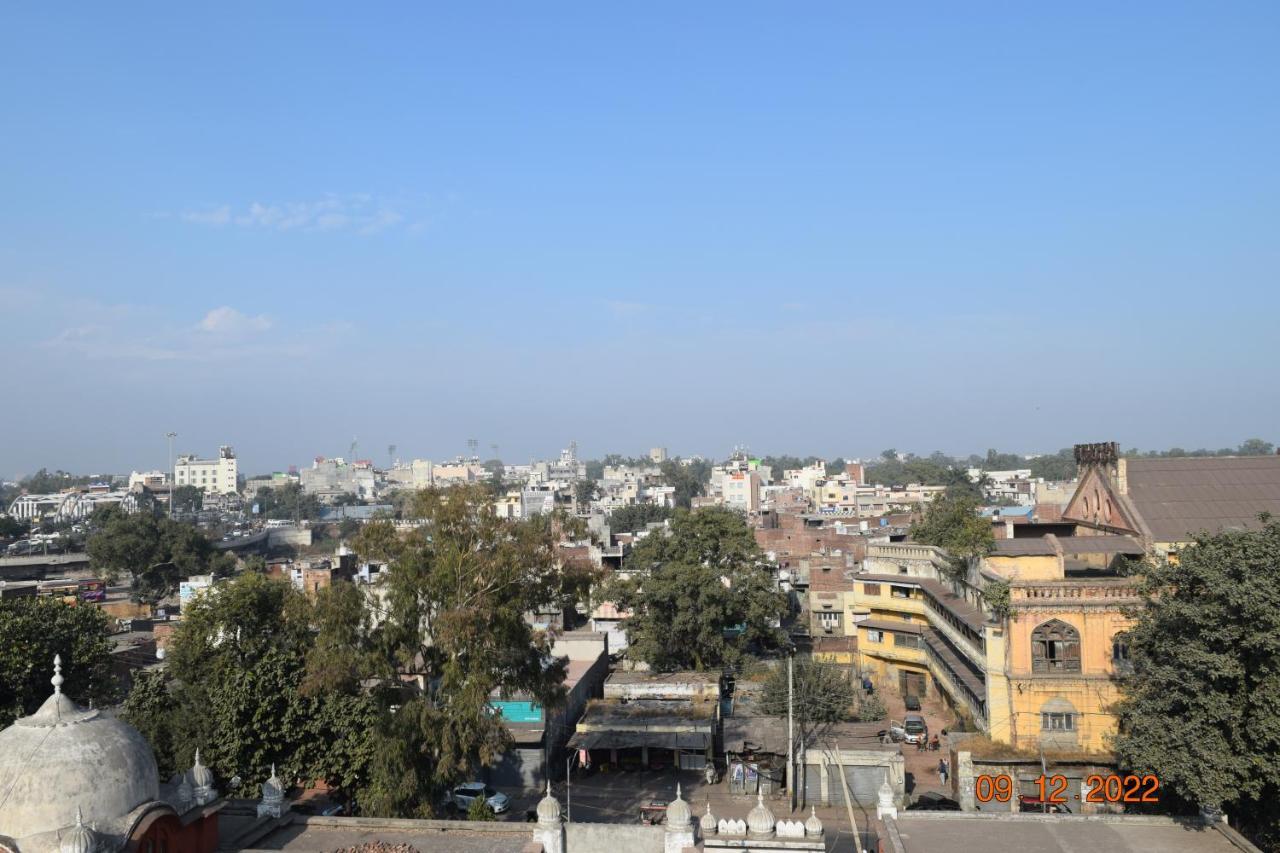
154	553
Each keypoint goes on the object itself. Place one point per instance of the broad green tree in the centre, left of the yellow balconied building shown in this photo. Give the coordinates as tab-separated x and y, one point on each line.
702	595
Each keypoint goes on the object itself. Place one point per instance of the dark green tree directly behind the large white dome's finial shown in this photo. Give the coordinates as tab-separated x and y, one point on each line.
33	631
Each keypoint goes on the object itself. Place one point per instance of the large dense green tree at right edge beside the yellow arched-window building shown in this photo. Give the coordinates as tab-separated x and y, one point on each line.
1201	709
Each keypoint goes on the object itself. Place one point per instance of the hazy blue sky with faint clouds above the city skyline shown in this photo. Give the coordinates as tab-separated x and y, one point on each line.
816	227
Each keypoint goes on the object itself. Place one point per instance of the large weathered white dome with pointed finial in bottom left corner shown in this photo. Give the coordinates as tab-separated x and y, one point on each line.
65	755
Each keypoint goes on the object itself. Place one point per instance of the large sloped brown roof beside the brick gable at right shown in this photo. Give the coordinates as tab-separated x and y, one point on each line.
1180	498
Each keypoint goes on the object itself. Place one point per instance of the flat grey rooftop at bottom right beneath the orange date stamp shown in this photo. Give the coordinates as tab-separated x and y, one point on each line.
976	833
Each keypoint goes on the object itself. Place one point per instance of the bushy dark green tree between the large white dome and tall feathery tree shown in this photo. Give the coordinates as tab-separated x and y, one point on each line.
235	688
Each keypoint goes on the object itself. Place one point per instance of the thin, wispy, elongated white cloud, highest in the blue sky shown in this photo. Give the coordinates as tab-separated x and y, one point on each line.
360	213
